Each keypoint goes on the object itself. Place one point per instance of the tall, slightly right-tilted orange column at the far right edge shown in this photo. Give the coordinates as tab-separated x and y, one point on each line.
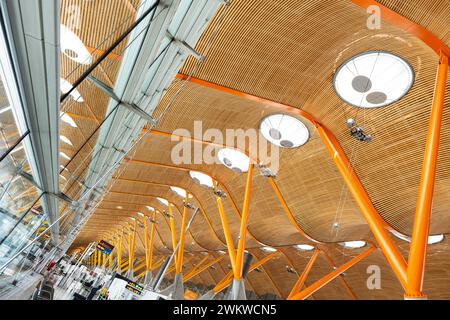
419	239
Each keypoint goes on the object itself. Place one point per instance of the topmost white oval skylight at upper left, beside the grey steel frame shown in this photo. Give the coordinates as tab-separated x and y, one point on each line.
73	48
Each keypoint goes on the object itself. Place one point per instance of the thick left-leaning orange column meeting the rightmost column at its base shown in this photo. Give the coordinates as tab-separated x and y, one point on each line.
376	223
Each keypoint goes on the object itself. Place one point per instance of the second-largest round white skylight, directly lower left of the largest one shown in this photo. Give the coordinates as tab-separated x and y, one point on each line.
284	131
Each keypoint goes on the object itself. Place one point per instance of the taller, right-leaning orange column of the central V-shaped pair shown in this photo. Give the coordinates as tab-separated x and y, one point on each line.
243	230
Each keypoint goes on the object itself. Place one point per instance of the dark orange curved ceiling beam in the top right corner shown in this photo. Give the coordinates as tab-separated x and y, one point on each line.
407	25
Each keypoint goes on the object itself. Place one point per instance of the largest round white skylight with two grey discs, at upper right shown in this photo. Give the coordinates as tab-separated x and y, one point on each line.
373	79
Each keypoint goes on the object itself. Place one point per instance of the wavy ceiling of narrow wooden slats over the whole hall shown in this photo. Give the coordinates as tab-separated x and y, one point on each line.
285	51
